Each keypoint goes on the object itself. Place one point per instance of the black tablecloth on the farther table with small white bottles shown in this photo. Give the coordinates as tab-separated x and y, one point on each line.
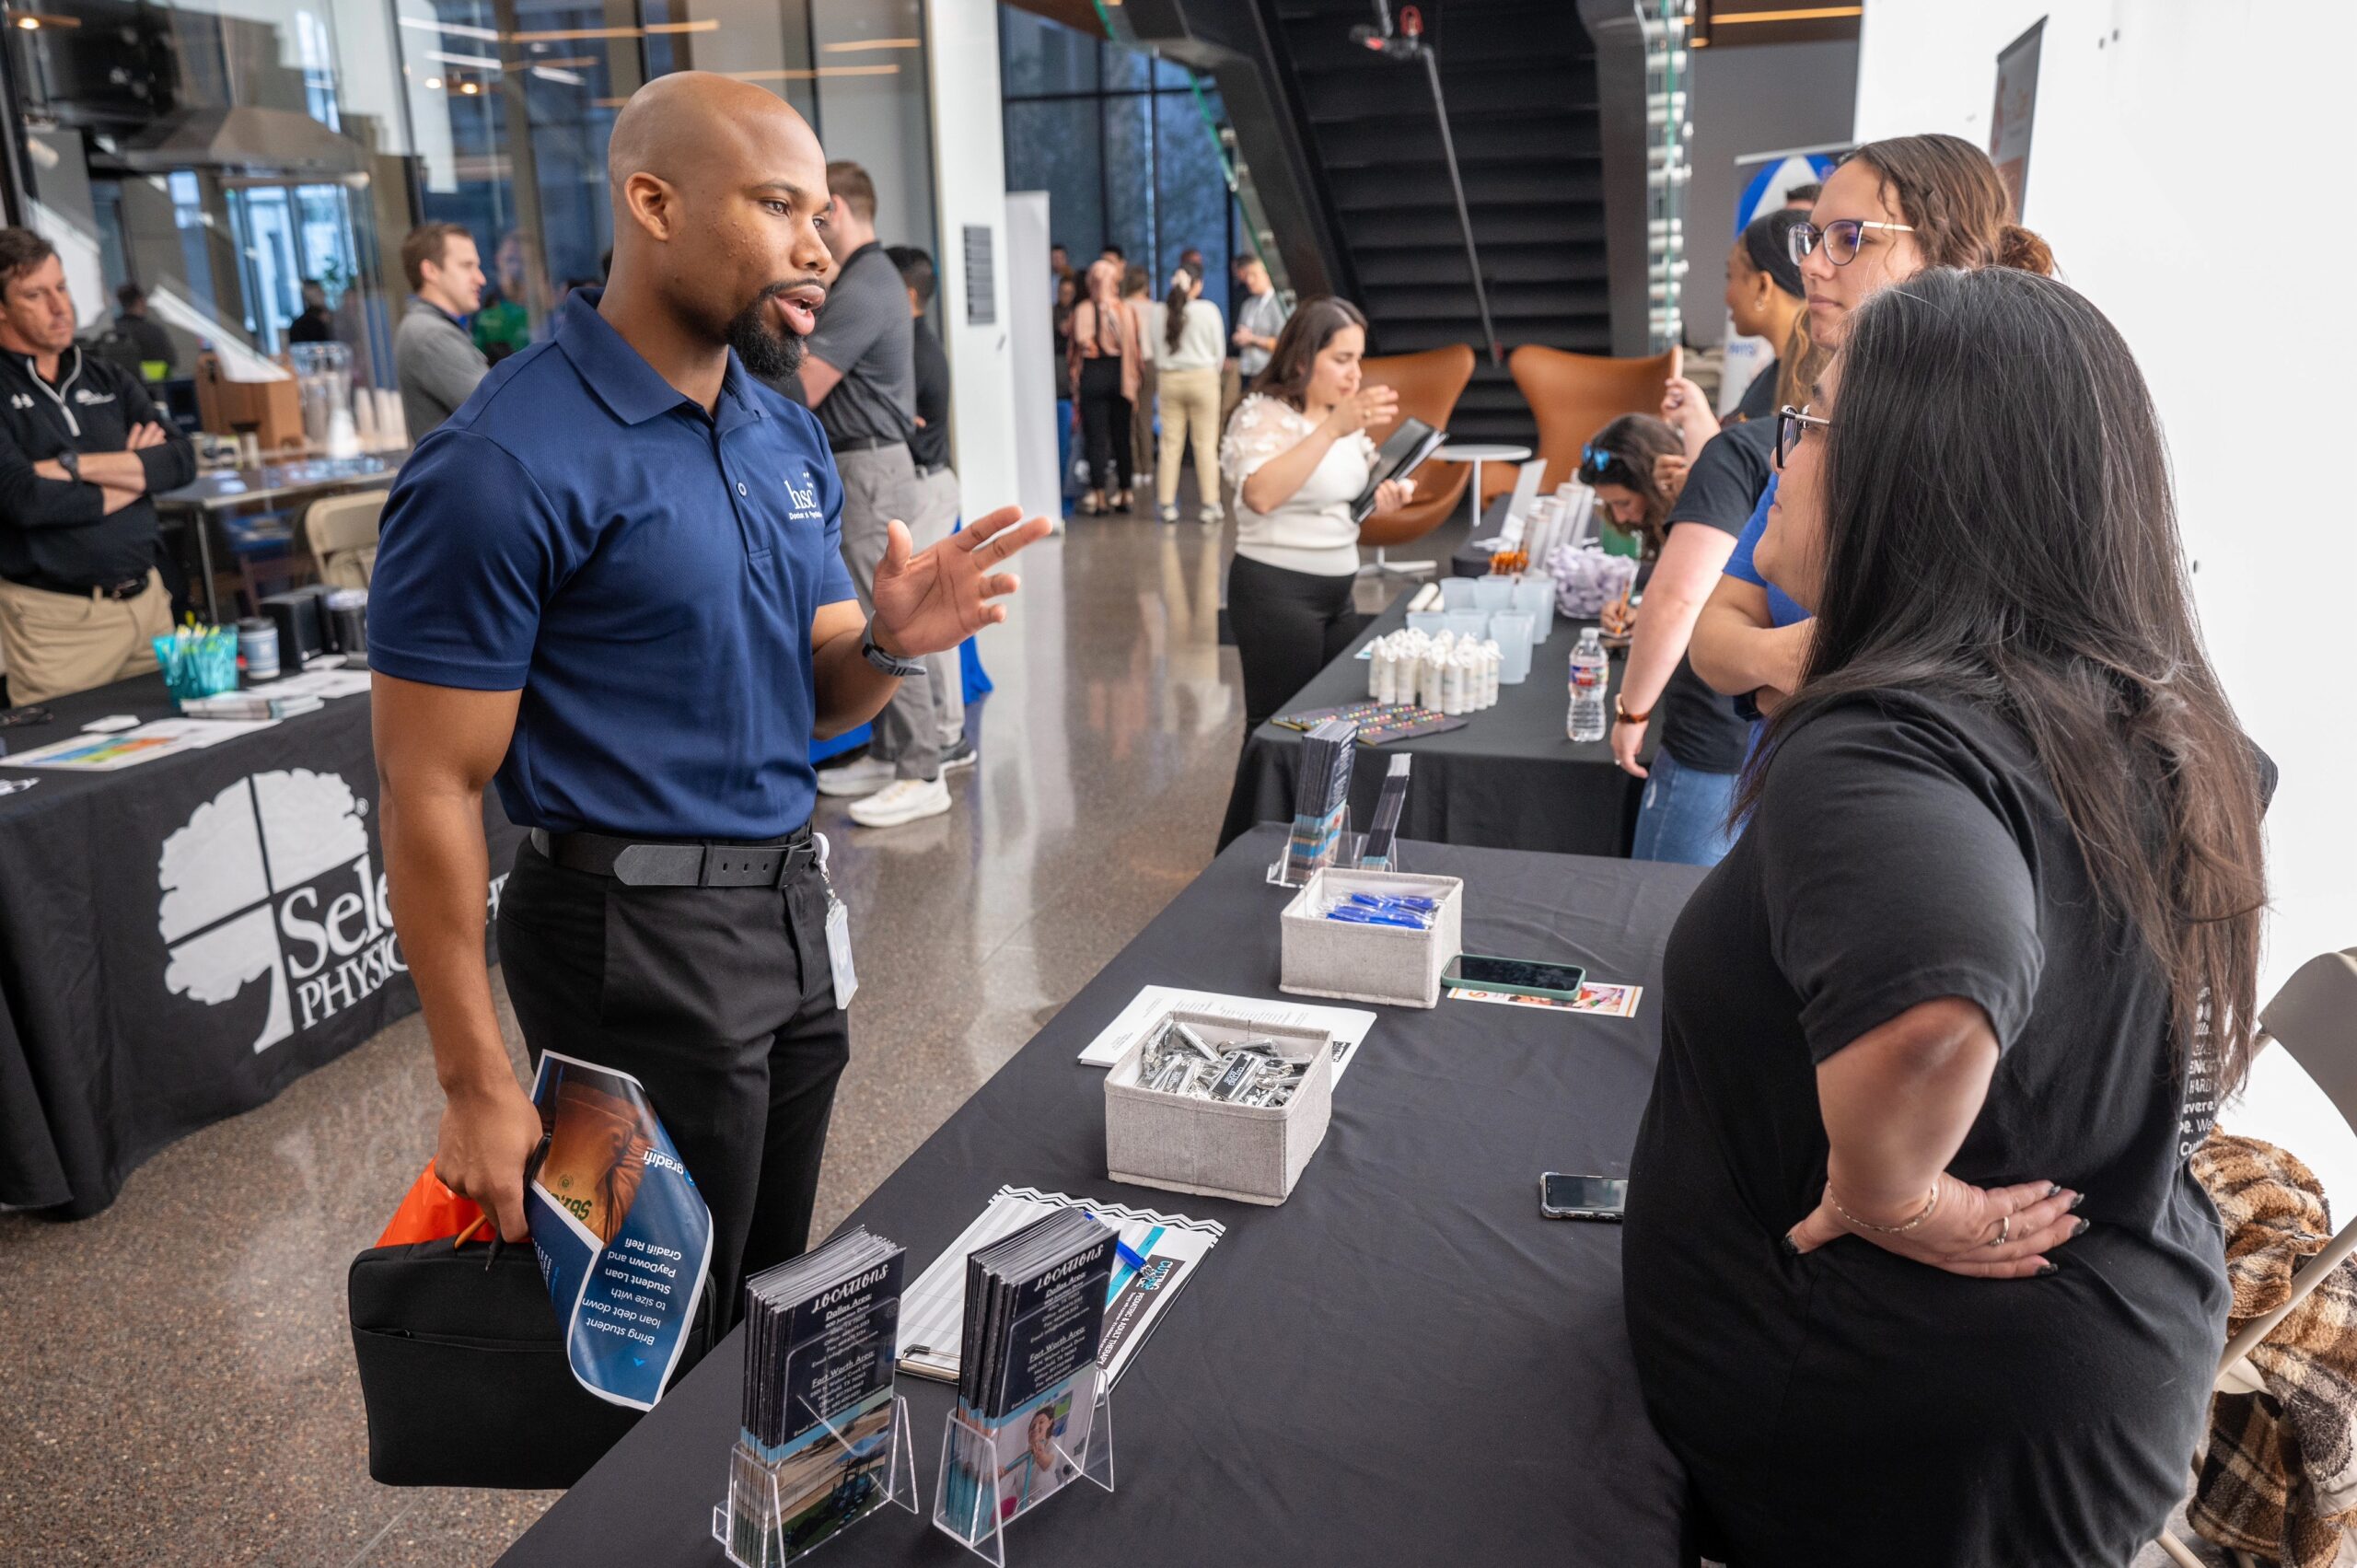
1505	782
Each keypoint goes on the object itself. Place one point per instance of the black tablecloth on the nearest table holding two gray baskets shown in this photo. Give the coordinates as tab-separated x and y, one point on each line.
1404	1364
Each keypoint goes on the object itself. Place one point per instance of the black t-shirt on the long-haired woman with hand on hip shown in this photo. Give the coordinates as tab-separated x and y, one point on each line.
1910	848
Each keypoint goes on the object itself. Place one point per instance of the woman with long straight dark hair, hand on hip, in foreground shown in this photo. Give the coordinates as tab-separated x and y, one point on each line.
1915	1267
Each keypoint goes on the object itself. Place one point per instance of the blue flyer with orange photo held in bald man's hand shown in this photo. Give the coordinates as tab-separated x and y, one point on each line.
621	1232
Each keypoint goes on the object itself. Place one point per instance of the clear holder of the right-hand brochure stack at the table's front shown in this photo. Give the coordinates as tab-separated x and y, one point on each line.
979	1494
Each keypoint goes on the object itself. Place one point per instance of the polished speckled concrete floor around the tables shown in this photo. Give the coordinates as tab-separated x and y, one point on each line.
178	1381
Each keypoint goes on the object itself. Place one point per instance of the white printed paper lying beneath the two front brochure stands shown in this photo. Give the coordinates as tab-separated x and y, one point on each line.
935	1310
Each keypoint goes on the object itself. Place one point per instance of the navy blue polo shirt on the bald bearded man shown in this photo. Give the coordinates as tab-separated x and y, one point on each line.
642	572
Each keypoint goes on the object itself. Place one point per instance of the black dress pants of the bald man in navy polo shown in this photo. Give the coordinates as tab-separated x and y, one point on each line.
722	1003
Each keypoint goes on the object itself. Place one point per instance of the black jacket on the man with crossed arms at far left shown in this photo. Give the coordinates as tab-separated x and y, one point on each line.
58	534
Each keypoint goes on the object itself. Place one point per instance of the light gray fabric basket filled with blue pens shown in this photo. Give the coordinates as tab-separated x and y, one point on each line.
1333	958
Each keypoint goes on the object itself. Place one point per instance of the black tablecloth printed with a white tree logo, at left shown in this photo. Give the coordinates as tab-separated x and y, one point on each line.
185	937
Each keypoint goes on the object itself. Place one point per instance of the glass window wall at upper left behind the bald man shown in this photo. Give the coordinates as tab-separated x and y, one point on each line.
225	152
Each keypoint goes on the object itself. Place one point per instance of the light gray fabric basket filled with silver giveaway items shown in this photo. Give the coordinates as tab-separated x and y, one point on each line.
1253	1154
